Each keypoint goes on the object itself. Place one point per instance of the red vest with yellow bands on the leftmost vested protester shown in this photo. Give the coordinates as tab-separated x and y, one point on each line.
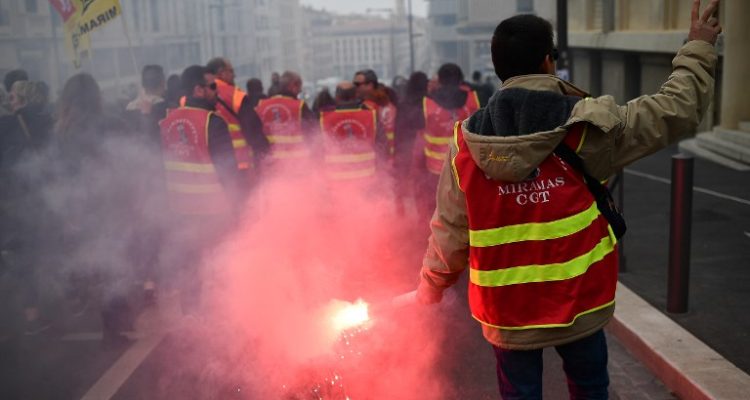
192	183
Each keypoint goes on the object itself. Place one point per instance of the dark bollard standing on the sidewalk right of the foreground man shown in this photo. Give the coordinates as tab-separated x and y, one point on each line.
678	278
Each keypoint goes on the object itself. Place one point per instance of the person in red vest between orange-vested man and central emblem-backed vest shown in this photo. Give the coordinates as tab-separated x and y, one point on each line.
287	121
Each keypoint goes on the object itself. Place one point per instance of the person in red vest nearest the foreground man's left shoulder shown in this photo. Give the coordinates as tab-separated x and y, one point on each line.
447	104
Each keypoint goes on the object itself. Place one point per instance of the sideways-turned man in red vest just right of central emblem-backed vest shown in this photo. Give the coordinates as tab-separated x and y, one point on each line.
378	97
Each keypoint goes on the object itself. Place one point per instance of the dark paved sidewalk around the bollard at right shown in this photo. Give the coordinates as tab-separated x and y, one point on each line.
720	253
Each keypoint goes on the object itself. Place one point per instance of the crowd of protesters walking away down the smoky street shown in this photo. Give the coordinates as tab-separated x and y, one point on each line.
69	188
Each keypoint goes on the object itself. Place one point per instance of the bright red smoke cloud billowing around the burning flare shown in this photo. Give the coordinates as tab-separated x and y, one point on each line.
301	248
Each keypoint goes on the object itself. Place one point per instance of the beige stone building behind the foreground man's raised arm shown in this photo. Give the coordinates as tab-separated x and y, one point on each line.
625	49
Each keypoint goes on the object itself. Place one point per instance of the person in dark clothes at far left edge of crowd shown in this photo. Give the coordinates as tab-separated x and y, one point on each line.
23	134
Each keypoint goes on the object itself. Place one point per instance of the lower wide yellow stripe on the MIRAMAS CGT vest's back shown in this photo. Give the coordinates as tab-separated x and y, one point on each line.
546	272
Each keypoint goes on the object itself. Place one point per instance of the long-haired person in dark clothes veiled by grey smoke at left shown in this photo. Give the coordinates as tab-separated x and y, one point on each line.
91	191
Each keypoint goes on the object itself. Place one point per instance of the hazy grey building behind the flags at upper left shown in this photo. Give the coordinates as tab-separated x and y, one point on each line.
170	33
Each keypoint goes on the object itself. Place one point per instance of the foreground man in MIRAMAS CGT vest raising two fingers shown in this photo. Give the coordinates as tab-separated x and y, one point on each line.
517	208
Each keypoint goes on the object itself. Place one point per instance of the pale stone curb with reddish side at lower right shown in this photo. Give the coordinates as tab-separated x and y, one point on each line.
687	366
